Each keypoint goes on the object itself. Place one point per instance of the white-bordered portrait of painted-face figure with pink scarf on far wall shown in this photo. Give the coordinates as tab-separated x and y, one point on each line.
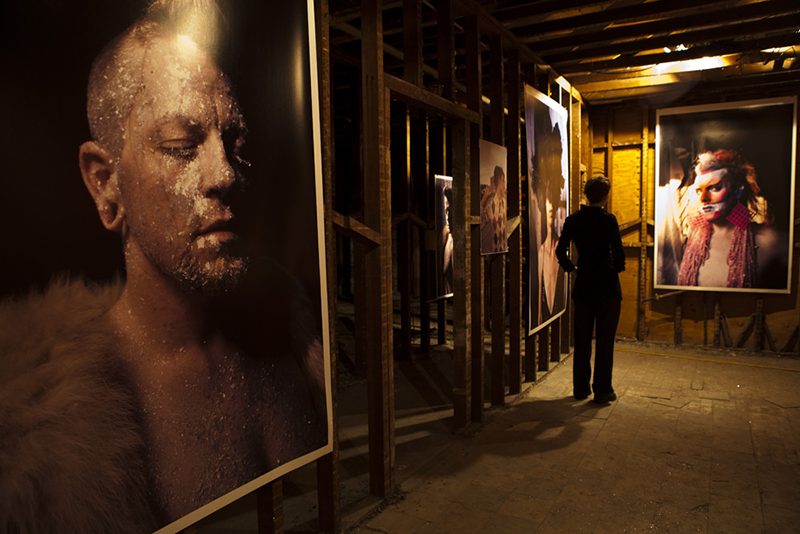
725	196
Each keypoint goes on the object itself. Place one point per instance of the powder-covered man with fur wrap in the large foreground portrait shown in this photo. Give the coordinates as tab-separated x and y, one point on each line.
127	406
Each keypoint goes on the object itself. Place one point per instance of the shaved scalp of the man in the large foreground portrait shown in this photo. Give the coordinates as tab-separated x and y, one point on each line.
117	74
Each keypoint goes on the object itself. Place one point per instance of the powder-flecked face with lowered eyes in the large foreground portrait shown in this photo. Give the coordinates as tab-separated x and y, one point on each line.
179	165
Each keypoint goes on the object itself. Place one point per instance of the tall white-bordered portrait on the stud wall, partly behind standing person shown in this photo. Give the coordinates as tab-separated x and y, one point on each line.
546	130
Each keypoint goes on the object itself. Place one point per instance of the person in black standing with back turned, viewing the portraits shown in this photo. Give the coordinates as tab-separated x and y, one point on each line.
597	293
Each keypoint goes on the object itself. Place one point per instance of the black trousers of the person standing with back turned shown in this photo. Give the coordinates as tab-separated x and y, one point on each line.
602	313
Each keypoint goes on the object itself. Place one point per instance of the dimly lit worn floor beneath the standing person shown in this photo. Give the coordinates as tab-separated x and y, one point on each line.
699	441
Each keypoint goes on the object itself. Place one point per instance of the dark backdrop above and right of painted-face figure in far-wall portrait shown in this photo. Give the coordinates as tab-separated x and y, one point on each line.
762	135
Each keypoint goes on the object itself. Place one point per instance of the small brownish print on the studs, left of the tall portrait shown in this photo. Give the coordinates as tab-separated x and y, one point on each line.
493	198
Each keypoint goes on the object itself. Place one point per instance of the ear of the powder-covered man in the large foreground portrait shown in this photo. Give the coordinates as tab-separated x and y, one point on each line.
97	169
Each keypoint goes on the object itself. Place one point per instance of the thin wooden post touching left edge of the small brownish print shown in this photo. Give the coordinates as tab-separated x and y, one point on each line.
473	75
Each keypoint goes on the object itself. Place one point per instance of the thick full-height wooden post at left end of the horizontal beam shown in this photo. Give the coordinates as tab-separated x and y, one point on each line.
377	263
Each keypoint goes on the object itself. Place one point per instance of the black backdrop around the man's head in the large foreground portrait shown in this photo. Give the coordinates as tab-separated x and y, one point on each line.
50	222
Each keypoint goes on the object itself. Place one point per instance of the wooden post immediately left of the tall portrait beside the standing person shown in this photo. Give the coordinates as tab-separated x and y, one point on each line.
513	177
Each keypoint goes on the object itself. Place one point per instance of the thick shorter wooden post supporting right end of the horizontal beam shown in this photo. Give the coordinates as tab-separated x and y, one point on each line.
462	241
